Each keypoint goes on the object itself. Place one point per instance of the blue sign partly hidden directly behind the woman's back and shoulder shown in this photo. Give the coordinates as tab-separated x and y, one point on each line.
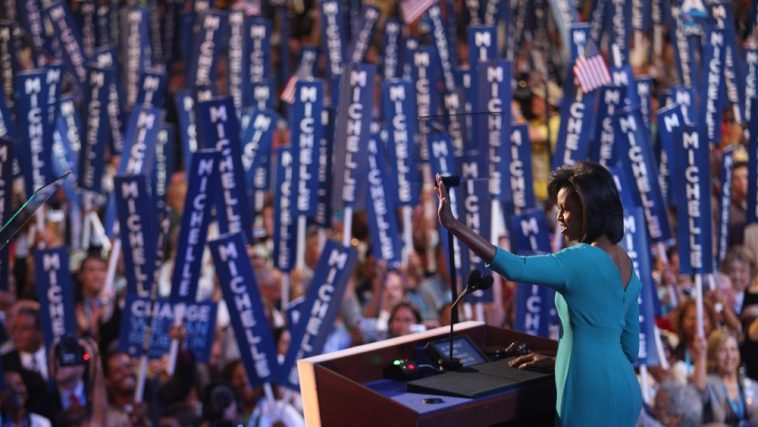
636	245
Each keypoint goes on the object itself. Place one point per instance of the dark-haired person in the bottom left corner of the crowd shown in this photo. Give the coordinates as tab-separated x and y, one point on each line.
13	408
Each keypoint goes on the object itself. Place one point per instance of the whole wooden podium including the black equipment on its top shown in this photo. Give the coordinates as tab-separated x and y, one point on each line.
403	381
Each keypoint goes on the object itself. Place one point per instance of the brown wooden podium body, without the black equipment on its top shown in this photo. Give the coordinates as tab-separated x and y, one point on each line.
347	388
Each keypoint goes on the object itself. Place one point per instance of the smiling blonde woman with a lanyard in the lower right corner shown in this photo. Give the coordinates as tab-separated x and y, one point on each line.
728	397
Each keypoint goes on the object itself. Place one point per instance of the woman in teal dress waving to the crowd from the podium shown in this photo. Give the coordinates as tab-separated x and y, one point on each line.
596	295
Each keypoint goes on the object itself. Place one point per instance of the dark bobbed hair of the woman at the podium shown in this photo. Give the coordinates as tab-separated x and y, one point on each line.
602	213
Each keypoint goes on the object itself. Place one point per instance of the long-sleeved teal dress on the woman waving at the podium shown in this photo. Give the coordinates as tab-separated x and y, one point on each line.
594	376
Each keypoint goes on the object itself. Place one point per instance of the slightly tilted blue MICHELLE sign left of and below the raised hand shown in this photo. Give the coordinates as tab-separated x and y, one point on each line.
382	215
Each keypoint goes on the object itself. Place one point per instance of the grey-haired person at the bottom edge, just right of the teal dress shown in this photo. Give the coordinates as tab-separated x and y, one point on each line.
675	405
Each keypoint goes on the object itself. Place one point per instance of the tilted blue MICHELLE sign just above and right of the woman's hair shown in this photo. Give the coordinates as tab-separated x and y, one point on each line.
636	157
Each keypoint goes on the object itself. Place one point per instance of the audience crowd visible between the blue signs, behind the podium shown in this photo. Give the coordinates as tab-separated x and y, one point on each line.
707	378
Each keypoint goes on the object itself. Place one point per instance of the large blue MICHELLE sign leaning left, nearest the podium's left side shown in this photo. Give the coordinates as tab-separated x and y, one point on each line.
248	318
